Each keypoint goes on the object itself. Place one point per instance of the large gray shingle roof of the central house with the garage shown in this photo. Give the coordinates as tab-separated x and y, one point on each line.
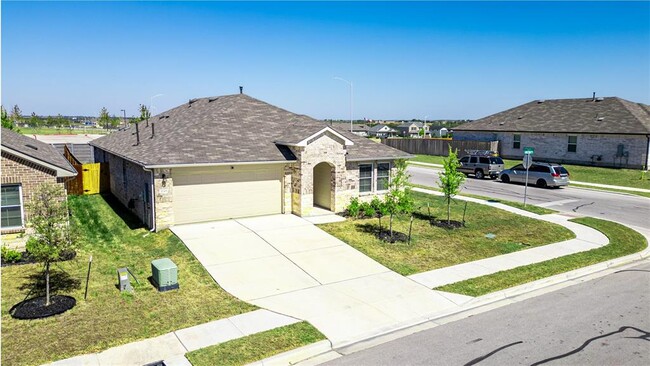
226	129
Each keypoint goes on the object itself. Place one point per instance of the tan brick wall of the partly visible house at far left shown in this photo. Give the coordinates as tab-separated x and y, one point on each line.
29	176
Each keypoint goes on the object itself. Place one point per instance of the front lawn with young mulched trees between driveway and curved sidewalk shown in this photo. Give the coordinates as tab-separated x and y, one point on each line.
433	247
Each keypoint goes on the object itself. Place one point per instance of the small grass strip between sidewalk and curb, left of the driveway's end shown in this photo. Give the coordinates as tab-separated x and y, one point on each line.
256	347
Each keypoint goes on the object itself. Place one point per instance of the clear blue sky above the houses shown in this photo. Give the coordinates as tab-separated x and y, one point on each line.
406	60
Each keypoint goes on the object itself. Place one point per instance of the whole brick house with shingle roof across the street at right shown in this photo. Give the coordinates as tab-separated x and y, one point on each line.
596	131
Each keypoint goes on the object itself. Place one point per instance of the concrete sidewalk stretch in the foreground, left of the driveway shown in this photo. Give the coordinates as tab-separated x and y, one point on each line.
171	347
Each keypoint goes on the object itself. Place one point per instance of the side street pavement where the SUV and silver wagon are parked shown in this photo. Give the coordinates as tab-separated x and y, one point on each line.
624	208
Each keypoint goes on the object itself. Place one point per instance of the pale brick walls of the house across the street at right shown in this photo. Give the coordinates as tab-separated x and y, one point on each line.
591	149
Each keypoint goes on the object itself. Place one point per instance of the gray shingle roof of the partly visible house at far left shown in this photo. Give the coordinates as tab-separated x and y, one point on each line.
35	149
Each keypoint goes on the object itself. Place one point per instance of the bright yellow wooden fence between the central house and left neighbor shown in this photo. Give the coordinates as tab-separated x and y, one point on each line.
91	178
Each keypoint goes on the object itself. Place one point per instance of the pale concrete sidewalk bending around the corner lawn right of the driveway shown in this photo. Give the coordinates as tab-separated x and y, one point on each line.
586	239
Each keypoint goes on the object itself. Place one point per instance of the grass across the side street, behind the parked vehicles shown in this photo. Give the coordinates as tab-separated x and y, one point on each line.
613	176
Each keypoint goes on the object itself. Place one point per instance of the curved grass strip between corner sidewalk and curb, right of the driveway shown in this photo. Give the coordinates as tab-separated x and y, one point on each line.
622	241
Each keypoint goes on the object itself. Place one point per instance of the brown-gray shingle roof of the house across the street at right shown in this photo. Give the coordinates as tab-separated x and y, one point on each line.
610	115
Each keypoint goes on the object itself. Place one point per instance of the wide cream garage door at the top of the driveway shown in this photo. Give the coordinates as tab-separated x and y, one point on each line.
216	193
